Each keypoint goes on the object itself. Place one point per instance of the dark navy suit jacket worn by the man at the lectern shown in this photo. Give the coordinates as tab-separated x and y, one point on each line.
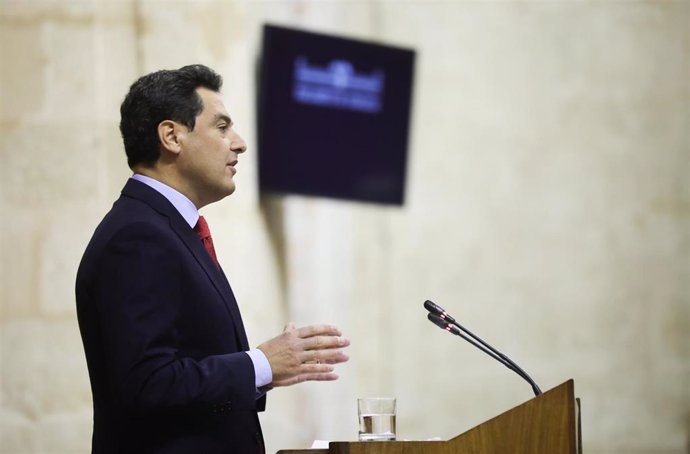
163	337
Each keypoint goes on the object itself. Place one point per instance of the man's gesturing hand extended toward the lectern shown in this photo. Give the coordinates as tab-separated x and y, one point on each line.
305	354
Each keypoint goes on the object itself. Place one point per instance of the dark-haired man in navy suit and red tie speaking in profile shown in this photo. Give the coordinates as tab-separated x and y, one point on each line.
170	365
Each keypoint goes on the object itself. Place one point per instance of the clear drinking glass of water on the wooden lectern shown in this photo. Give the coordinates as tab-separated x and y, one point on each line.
376	418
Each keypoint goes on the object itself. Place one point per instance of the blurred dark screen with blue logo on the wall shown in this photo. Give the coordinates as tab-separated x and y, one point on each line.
333	116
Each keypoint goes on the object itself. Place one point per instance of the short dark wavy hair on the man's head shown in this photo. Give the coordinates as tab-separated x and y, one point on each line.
161	95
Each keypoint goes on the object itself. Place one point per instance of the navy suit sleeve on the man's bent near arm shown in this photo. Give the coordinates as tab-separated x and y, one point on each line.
139	302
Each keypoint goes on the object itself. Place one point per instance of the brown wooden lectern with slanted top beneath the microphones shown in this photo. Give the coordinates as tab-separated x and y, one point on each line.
546	424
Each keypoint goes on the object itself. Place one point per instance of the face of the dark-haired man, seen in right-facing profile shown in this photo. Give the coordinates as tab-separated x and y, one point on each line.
209	152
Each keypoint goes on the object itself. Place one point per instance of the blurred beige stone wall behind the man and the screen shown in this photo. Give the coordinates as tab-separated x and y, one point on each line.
548	205
